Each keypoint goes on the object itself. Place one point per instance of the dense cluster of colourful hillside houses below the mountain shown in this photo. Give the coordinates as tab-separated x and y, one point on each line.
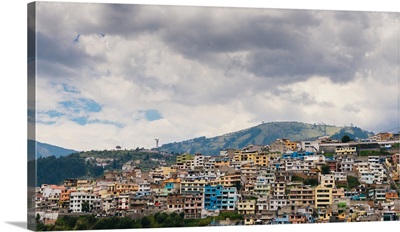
266	184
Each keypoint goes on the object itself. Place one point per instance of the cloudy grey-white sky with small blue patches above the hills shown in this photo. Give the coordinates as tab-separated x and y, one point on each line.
124	75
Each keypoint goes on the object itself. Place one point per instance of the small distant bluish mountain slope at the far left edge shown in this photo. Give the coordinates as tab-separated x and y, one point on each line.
46	150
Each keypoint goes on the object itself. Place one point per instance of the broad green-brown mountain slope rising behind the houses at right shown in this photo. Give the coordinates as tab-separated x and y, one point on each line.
263	134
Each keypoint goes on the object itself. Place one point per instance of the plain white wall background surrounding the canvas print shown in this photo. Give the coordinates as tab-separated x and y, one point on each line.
13	103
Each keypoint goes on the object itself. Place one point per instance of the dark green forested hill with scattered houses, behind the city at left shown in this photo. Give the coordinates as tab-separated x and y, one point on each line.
54	170
